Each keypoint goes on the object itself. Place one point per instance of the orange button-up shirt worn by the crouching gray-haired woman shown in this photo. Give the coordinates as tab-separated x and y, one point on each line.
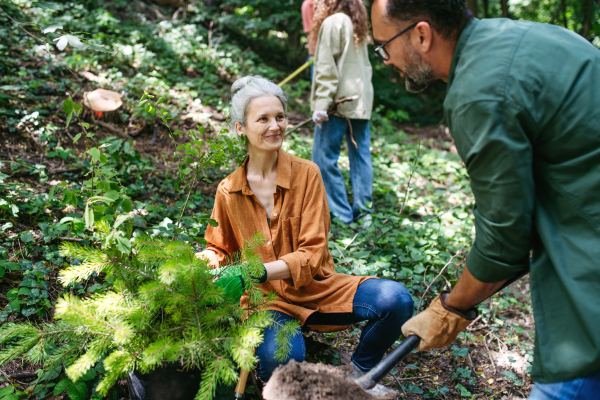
298	235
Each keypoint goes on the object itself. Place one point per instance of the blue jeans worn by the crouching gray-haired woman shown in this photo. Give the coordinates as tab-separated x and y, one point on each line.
386	305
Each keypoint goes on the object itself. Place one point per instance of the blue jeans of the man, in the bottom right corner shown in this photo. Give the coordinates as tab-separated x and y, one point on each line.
585	388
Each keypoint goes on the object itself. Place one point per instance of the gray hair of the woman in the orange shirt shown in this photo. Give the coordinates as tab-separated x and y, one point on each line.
245	89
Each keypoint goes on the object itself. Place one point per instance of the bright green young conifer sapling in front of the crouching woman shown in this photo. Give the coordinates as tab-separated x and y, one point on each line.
162	307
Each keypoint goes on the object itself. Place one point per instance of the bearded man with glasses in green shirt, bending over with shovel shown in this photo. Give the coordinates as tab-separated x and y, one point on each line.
523	106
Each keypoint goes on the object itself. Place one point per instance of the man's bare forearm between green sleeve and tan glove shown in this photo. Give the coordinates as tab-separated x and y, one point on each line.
469	292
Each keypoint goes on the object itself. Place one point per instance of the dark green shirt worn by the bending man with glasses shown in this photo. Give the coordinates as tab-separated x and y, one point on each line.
523	106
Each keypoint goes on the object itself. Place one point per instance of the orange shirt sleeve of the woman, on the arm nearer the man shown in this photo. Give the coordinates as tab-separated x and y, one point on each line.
305	262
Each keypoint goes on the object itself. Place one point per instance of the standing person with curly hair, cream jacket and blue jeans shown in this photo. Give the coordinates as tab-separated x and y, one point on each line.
342	69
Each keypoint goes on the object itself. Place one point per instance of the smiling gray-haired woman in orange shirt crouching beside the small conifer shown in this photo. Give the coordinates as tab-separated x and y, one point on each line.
283	197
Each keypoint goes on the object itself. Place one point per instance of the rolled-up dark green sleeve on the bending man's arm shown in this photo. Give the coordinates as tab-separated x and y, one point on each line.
498	154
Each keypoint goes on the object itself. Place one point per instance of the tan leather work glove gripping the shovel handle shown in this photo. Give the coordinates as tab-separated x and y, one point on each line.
438	325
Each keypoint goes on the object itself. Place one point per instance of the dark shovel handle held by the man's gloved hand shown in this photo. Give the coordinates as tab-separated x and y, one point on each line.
384	367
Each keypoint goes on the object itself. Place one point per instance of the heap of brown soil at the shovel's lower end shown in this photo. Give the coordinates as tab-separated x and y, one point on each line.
306	381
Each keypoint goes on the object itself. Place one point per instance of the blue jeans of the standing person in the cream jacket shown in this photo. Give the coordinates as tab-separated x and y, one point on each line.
326	152
